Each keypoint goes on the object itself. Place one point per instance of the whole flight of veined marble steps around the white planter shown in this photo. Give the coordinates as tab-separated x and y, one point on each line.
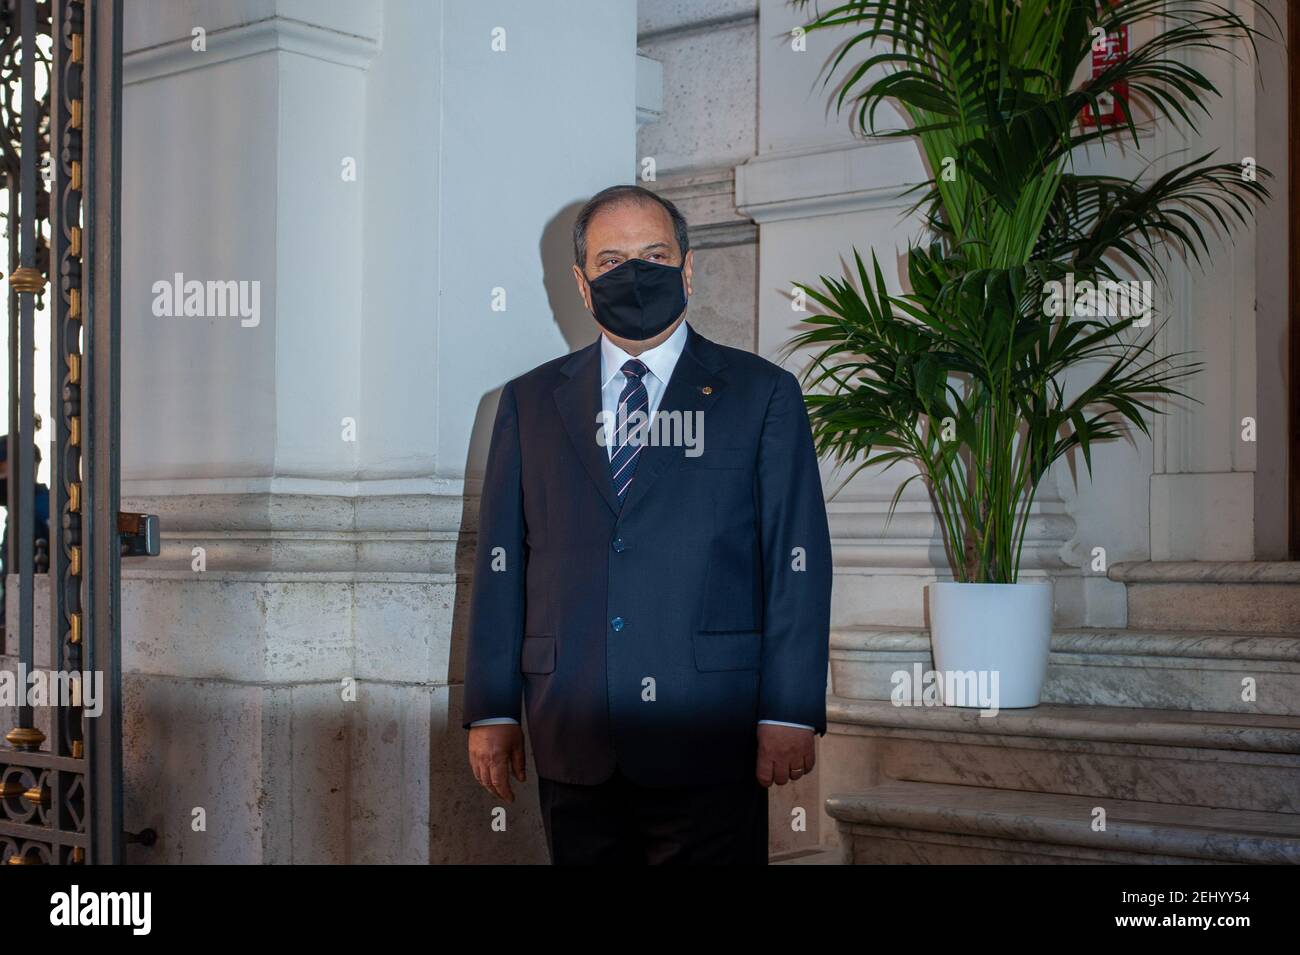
1176	740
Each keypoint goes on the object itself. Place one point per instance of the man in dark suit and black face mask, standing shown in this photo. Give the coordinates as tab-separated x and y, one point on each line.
653	571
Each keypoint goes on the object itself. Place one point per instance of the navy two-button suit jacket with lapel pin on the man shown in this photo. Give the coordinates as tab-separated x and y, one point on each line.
652	637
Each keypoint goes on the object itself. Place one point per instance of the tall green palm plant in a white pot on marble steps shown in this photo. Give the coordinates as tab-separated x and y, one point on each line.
964	376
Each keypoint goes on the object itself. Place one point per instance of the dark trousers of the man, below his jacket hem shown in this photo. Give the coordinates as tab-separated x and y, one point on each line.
618	822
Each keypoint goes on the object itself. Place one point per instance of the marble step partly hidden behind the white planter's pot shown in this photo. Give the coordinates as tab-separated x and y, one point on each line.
1175	670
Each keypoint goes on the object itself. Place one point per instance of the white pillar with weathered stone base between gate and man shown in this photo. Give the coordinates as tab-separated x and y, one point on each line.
332	554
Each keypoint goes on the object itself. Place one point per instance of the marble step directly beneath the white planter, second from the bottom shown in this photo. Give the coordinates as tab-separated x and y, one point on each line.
1221	761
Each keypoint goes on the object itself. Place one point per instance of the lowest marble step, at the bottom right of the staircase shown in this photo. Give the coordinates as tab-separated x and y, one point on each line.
930	823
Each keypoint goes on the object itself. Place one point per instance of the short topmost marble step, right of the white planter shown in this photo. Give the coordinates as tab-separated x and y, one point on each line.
1247	597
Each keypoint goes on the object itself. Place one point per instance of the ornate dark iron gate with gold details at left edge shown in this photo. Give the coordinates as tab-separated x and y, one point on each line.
60	770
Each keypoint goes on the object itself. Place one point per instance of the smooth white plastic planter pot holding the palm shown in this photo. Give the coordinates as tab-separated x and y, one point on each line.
1000	633
